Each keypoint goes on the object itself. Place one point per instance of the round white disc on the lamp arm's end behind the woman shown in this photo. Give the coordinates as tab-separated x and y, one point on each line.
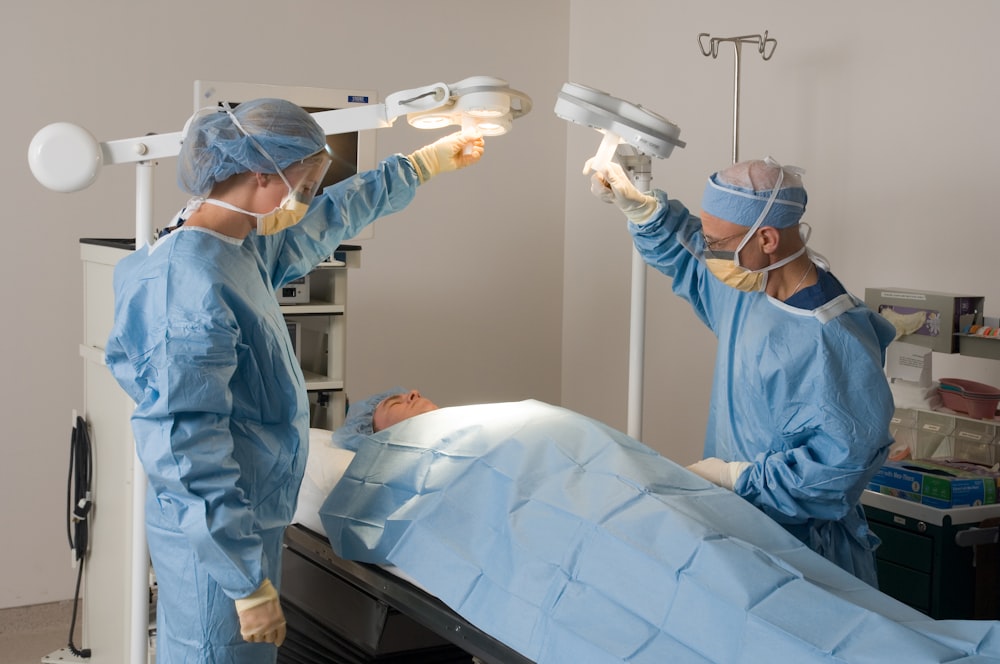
65	157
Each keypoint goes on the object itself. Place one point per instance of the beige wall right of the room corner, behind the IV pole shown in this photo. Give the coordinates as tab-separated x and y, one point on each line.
889	106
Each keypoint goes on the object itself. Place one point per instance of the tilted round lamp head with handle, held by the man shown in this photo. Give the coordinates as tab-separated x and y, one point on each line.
620	121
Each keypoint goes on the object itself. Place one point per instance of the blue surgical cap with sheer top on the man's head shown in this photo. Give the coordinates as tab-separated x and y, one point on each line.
740	193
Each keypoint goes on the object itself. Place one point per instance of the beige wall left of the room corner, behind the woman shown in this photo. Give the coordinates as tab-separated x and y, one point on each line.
458	295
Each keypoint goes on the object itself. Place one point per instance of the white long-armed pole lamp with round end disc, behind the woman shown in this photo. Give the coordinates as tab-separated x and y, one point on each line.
65	157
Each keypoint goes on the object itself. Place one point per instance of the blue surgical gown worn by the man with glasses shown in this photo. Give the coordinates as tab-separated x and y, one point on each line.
800	394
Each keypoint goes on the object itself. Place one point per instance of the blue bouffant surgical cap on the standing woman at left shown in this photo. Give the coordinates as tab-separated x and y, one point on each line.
214	148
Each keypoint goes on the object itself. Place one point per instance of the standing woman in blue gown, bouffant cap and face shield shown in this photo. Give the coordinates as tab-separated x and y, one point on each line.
198	341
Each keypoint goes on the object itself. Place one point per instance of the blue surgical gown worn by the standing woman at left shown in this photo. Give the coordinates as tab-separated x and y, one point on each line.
222	415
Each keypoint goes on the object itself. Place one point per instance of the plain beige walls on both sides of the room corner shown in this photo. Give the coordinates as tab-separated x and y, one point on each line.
507	281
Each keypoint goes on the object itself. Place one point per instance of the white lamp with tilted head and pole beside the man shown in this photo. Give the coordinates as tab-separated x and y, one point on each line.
649	135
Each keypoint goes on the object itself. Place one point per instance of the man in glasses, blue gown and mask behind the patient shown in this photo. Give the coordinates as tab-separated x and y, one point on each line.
800	407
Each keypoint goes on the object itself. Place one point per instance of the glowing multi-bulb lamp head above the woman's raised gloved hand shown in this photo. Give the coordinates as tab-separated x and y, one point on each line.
480	103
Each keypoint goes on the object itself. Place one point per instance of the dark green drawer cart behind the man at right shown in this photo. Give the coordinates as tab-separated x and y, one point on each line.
919	561
